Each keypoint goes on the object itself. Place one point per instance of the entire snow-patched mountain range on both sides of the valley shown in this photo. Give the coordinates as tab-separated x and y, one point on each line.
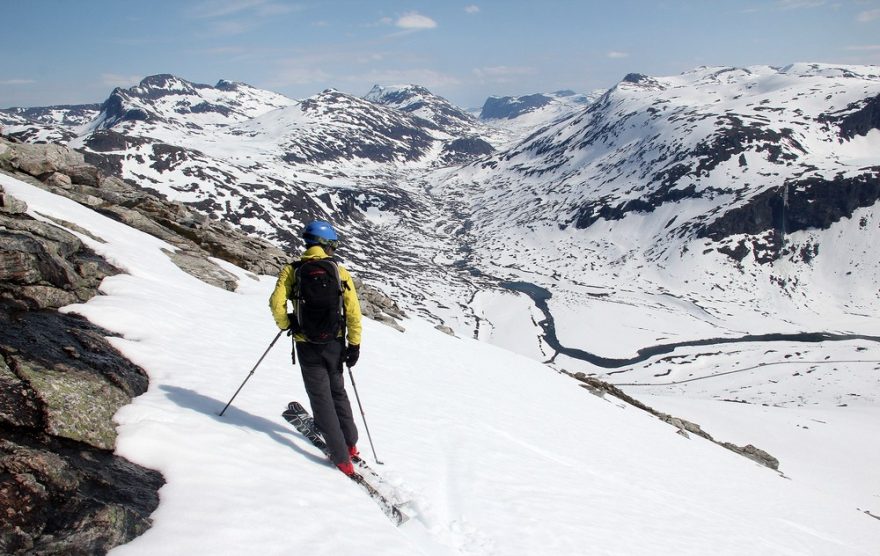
709	201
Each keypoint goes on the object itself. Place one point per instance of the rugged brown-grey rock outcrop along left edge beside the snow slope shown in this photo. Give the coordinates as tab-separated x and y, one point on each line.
62	490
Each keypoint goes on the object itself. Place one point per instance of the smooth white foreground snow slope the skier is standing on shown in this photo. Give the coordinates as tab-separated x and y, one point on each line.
499	454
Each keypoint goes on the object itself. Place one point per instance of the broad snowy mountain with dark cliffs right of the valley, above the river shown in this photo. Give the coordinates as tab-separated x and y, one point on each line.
743	199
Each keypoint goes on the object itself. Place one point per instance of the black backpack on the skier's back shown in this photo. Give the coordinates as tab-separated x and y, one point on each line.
317	300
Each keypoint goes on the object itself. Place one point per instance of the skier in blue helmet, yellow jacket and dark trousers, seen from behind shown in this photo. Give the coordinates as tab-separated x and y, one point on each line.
322	353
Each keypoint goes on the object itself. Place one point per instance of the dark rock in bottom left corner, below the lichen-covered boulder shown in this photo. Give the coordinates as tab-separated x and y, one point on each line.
64	497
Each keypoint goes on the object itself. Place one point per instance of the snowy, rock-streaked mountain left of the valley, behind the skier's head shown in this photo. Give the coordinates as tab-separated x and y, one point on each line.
266	164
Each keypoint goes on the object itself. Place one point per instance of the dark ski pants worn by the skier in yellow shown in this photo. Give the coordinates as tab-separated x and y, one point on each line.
321	366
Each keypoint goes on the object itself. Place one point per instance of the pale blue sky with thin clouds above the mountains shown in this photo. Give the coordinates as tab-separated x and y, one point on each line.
77	51
